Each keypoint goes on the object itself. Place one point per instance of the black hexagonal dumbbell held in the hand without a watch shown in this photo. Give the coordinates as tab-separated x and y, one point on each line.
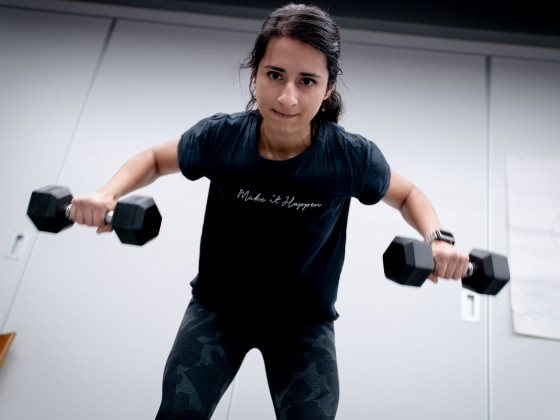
136	219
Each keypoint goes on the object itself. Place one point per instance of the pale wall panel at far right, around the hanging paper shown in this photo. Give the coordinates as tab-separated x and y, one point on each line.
525	121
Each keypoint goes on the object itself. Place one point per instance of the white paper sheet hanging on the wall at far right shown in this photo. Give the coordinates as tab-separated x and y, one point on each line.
533	198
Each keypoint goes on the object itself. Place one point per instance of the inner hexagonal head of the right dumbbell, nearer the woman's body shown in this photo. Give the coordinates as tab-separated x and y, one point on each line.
408	261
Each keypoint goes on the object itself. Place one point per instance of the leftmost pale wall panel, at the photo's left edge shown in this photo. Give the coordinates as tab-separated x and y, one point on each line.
47	63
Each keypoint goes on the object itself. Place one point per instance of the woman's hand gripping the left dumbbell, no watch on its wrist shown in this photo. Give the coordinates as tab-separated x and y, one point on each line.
91	209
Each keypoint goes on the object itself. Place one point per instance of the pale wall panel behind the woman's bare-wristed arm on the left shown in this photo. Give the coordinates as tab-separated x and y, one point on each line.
106	314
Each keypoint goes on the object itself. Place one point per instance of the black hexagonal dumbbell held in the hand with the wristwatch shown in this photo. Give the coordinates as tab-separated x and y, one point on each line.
409	262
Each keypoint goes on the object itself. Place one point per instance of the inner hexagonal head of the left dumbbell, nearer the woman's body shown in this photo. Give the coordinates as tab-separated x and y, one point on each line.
136	220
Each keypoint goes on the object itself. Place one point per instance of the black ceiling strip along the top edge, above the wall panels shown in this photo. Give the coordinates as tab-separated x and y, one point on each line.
530	23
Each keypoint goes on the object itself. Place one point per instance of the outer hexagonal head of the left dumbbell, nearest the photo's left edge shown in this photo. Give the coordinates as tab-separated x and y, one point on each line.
47	208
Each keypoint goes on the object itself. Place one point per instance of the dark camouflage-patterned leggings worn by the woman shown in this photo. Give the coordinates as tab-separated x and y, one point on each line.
300	366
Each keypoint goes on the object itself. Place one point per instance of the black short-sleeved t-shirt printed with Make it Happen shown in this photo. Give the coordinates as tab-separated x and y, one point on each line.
274	232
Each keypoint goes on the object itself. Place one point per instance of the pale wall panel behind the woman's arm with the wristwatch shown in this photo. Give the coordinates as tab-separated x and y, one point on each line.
406	352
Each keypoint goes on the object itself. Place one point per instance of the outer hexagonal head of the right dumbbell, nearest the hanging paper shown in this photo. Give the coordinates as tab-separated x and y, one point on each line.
490	272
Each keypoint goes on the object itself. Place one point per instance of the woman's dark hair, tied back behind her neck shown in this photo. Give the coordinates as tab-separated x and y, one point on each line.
310	25
